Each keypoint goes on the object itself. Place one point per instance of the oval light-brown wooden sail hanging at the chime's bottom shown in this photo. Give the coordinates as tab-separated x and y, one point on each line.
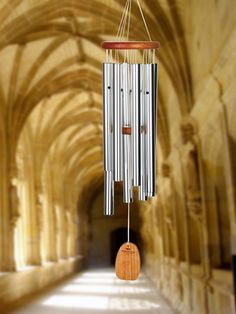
128	262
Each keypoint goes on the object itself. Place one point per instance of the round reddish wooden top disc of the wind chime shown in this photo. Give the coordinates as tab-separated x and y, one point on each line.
129	45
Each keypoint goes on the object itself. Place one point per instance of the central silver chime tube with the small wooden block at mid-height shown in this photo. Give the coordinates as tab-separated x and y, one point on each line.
127	180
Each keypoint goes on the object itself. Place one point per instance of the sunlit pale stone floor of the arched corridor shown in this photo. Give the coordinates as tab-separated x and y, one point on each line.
99	291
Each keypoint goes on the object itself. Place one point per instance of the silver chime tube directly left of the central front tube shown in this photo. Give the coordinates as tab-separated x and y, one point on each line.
117	123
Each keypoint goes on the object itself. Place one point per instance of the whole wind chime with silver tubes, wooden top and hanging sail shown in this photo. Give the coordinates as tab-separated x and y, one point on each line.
129	124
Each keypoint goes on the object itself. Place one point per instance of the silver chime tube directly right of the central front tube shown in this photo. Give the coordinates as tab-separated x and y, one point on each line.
135	122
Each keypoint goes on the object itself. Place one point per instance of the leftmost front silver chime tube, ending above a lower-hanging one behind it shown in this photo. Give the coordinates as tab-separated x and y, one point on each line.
107	114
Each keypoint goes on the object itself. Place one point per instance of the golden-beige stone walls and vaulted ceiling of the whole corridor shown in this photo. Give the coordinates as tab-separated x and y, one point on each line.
51	163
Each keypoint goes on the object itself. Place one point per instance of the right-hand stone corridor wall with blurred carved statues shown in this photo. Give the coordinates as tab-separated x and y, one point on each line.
195	206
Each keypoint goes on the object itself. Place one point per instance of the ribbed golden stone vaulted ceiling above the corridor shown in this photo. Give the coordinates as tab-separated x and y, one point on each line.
50	75
